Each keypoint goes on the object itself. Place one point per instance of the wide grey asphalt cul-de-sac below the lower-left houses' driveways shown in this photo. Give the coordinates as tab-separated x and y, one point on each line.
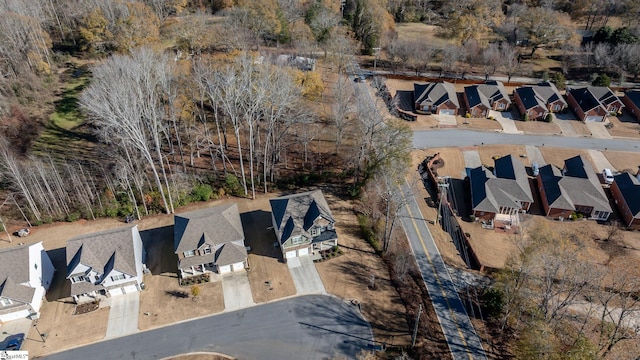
306	327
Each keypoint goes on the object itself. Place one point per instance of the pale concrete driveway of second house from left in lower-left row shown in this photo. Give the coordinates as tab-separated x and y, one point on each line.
123	315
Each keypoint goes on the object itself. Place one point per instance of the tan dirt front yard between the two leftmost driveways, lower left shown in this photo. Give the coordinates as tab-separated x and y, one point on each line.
65	330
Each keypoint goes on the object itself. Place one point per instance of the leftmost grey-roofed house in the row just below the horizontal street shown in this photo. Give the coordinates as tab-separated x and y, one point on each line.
506	190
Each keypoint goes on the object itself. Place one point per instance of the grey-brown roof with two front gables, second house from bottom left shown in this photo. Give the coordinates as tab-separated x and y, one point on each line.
104	251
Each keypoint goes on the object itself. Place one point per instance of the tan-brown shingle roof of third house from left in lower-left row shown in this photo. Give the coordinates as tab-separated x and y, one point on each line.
214	226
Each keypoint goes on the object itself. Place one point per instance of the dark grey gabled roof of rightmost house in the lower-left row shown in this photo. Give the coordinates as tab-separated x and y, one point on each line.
294	214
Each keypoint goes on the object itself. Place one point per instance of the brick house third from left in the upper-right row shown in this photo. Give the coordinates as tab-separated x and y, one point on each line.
538	100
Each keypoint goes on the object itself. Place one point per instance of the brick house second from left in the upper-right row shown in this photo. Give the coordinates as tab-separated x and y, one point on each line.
480	99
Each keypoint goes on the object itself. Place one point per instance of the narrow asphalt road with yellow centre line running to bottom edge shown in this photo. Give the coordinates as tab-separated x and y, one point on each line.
458	330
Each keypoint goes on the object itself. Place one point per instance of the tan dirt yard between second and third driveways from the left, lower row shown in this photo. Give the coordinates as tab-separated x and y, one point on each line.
161	302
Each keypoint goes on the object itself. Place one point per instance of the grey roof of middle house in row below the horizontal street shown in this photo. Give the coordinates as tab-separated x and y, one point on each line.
576	184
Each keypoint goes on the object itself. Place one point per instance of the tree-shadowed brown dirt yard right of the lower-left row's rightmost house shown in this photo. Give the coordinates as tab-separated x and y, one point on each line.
349	276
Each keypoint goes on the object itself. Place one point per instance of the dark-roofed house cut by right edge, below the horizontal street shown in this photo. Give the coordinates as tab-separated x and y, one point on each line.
625	191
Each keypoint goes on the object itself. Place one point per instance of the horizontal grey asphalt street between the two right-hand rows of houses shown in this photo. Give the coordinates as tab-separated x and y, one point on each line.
423	139
